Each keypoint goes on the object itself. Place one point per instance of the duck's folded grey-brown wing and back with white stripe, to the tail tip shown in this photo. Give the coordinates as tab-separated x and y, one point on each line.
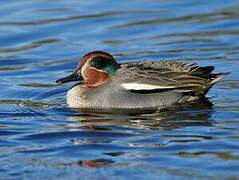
151	76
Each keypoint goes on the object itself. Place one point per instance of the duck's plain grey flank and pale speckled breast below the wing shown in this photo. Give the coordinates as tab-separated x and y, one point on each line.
112	96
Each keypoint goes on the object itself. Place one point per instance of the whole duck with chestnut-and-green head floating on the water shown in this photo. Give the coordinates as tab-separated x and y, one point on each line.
104	84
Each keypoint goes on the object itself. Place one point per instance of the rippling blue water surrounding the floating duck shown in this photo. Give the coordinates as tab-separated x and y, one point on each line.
41	41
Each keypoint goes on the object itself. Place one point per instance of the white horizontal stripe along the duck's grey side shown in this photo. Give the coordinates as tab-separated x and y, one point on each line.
138	86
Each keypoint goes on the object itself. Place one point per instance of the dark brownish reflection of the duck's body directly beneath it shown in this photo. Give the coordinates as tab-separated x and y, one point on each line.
194	114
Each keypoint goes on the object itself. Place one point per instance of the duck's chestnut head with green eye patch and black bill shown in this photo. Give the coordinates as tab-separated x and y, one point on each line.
93	70
